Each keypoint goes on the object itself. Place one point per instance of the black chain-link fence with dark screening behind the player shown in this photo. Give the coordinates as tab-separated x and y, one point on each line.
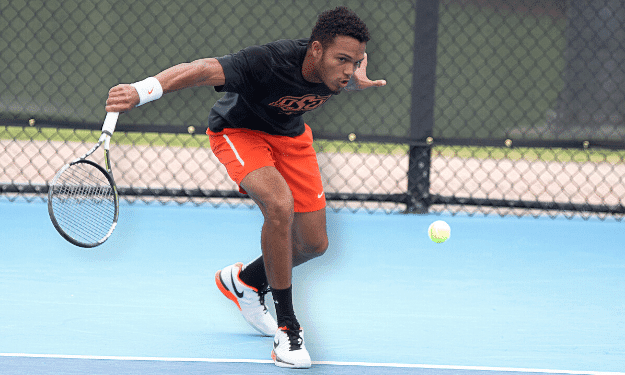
491	106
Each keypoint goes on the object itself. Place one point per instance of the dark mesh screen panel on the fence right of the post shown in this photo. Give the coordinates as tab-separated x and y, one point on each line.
532	70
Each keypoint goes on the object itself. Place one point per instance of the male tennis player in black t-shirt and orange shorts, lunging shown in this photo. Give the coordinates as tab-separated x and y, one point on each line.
256	130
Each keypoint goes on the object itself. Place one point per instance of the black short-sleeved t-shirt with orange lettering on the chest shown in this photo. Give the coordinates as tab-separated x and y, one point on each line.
265	90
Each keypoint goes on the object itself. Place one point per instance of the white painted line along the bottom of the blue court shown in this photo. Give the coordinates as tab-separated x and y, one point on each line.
363	364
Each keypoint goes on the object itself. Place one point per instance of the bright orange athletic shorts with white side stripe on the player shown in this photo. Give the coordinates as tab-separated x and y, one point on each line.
242	151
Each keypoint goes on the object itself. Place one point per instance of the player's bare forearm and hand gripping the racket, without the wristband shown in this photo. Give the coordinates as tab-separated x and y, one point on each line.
204	72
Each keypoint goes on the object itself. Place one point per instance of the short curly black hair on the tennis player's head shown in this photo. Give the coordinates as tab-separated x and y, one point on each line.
339	21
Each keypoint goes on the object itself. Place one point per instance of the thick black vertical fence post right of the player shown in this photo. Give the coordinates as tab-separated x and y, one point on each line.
422	112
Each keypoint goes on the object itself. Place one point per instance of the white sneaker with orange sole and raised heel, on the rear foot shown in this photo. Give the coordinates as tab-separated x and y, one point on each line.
249	300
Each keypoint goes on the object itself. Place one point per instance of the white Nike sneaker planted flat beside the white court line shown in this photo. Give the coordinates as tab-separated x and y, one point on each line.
289	349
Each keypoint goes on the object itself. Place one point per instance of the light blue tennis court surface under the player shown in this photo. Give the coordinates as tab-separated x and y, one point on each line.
502	295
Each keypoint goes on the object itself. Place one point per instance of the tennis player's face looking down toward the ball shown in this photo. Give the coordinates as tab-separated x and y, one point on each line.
339	61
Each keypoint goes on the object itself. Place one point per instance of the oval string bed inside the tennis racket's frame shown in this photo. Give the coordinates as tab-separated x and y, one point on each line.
83	202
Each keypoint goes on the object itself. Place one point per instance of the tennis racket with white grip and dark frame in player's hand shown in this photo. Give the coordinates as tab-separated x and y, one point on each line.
82	198
